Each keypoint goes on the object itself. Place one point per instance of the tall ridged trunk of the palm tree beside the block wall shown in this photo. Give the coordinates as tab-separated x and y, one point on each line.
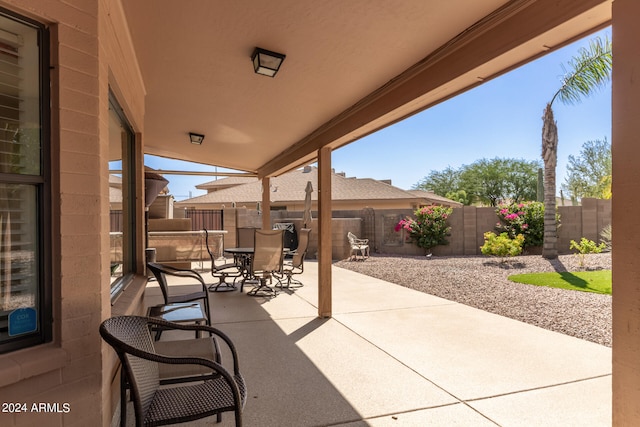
550	157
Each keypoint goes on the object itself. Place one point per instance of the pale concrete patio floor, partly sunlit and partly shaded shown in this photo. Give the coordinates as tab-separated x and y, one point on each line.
392	356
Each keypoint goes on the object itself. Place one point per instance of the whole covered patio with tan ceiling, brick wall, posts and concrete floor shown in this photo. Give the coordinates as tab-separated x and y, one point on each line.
123	78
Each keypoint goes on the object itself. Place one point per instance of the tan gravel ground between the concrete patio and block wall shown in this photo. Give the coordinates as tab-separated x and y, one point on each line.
481	282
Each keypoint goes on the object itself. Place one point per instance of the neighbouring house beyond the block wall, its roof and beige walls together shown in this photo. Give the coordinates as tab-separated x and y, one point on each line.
287	192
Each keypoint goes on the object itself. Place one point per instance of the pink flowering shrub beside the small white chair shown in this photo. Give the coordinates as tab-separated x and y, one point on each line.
429	228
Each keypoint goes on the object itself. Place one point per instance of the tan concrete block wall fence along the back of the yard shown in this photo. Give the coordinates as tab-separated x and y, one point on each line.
468	225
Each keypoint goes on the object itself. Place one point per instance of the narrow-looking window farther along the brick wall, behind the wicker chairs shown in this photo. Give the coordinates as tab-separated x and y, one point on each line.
121	199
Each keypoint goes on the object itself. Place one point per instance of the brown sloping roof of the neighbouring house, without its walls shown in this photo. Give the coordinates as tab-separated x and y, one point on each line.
290	187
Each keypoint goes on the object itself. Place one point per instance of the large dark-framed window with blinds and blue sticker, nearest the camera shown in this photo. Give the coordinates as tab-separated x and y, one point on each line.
25	279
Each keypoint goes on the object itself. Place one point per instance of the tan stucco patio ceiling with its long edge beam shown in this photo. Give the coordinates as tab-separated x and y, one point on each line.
352	67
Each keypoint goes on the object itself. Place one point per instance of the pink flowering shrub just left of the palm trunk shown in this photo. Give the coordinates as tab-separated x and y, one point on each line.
522	218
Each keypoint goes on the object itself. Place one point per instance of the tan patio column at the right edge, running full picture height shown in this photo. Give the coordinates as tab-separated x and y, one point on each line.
625	151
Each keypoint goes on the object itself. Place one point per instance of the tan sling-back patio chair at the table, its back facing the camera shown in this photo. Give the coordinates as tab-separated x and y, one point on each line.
266	261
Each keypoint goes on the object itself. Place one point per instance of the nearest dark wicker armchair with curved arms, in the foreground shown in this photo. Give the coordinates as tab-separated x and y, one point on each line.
223	391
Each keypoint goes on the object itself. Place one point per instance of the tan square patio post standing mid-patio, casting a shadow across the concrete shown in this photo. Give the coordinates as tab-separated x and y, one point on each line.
324	232
